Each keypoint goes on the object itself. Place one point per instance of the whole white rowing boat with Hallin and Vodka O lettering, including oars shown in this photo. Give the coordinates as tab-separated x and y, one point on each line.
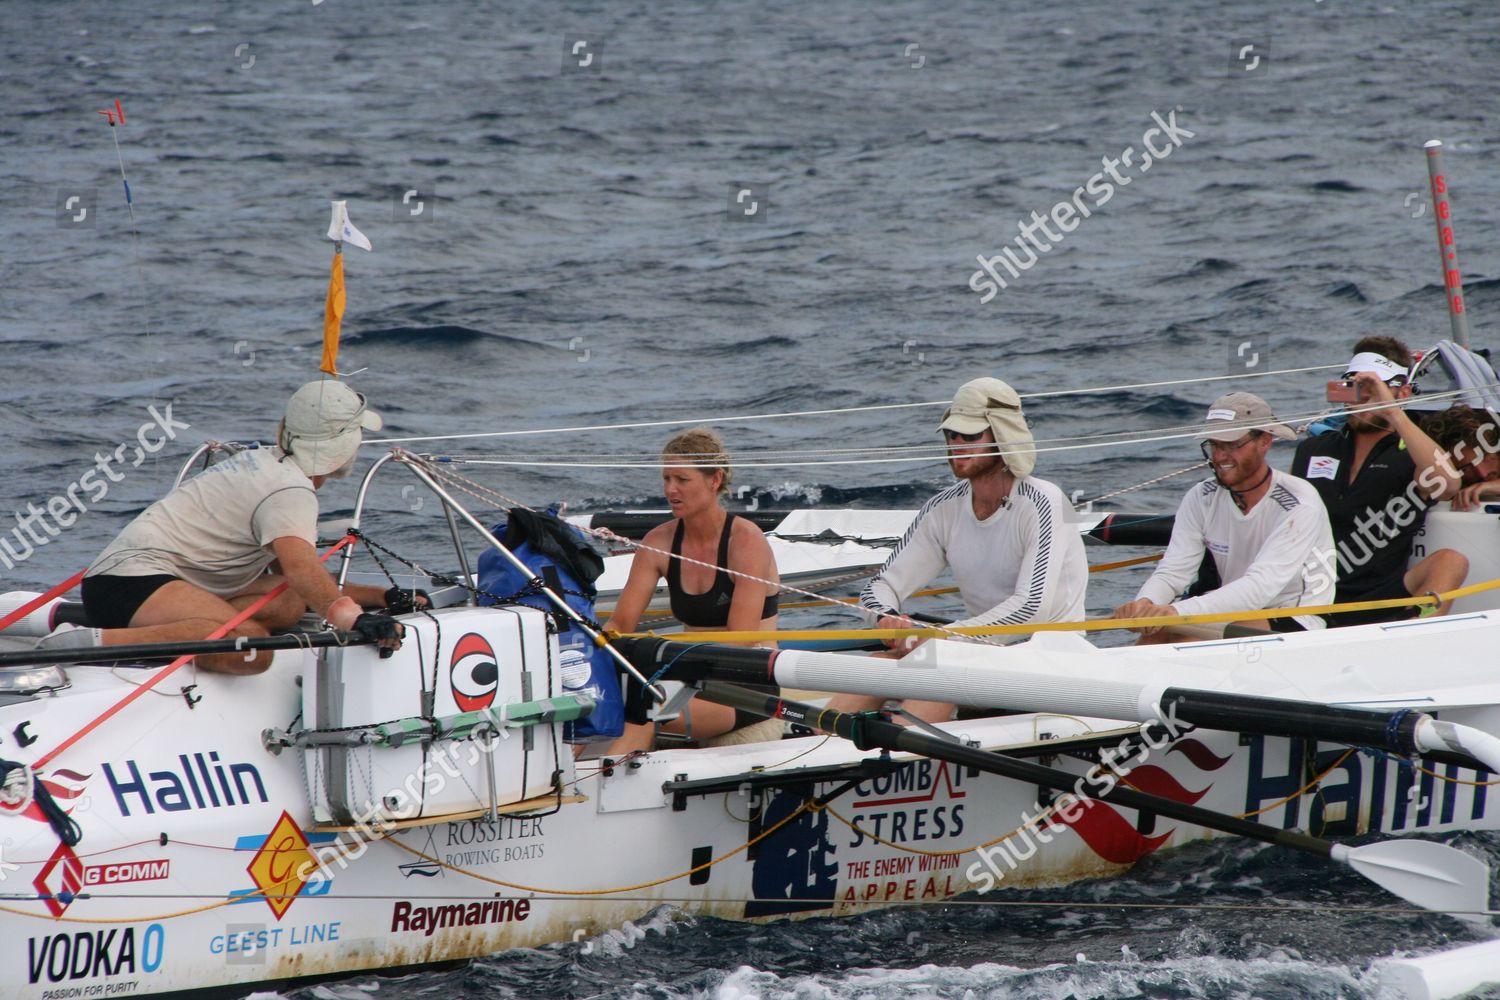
346	813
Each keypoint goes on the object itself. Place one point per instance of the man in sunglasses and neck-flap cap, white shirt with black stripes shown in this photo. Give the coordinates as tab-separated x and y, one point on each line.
1004	533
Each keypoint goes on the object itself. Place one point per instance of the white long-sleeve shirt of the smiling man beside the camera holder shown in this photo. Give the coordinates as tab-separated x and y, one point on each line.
1277	555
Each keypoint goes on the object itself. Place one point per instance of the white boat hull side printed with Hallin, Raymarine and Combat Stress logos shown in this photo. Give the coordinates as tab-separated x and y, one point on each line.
187	819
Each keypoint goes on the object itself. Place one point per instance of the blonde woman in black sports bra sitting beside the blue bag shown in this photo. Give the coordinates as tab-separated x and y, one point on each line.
706	596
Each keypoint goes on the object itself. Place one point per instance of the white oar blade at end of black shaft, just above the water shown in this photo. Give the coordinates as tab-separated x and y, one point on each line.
1433	876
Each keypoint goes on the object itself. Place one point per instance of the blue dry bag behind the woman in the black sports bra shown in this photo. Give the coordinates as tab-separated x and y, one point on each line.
568	563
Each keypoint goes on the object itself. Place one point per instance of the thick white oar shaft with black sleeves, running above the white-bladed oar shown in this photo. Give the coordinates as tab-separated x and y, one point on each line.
1036	683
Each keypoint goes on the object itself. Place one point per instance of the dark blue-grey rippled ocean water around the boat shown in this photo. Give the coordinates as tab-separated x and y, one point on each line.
712	211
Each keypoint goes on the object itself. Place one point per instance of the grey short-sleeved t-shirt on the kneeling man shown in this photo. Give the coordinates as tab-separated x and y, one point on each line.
217	530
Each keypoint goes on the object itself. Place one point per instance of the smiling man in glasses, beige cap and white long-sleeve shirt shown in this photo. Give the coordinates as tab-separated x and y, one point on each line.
1267	530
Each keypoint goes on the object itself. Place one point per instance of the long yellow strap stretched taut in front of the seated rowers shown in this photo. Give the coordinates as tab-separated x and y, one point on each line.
1097	624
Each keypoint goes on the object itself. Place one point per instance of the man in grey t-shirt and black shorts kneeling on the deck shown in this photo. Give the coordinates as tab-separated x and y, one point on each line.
200	555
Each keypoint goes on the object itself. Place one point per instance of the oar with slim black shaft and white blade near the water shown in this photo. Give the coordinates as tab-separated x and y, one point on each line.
1433	876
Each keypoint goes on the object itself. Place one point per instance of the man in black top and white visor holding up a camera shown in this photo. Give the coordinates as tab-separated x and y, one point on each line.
1378	476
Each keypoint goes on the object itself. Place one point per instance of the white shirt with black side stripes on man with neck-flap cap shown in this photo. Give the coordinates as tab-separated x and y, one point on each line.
1022	564
